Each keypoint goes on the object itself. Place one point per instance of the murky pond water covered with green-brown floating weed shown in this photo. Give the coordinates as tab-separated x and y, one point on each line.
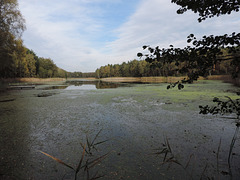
134	120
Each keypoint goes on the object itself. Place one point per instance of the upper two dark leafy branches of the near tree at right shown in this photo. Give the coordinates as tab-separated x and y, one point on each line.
201	56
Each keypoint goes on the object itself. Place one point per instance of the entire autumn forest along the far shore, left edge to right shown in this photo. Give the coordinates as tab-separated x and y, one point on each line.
16	60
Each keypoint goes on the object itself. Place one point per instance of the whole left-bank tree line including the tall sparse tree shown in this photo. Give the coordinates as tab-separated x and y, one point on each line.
15	59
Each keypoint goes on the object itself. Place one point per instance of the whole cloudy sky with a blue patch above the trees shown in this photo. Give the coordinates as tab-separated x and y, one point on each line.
82	35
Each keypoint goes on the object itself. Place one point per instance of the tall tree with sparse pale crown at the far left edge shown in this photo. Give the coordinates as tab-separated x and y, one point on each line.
11	28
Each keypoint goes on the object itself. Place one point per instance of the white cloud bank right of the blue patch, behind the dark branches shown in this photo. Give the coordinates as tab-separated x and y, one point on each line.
157	23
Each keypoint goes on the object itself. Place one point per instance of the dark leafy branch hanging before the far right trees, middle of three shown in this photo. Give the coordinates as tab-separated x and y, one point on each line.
199	58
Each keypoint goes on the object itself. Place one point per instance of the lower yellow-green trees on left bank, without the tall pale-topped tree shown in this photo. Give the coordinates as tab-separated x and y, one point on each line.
23	62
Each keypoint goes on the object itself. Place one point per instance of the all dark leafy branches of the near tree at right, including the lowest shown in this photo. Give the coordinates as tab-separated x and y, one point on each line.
202	56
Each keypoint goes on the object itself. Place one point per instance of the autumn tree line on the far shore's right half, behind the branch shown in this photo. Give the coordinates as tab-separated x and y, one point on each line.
147	68
